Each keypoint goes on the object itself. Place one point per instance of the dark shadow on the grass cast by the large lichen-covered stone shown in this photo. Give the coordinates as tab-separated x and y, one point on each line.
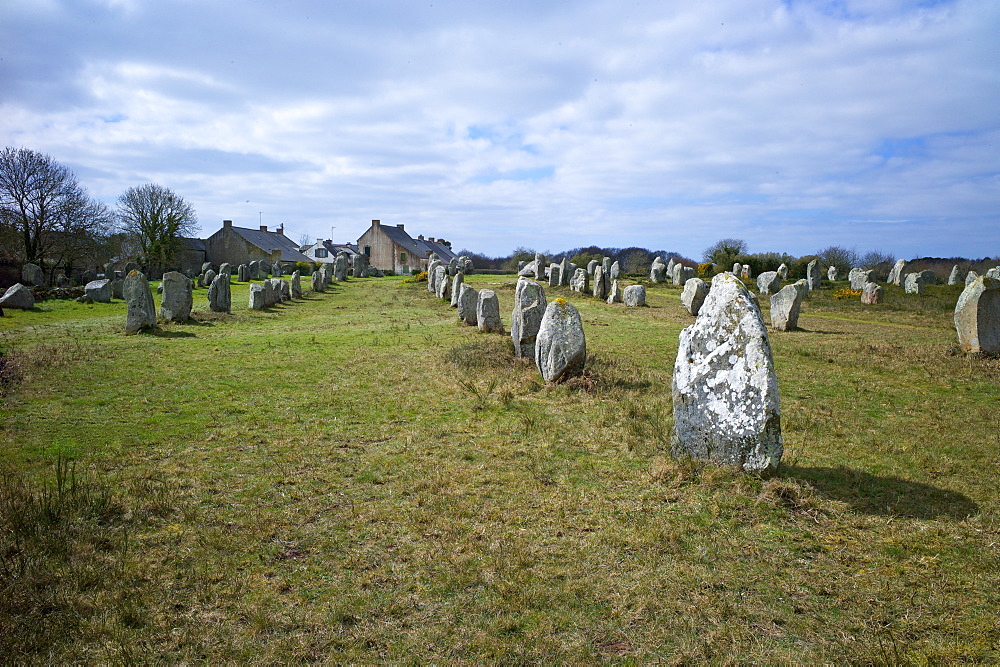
884	496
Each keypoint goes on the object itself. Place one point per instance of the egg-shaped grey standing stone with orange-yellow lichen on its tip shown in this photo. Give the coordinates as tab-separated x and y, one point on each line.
561	348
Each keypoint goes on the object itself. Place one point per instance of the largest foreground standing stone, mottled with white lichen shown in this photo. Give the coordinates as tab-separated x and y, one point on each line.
725	391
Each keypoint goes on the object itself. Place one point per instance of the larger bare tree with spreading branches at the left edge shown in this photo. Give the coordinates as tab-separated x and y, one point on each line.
40	202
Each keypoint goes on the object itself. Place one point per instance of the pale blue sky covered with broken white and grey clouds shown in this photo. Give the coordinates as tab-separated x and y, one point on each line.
792	124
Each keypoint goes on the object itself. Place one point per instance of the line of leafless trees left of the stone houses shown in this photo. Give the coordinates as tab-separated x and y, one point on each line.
47	218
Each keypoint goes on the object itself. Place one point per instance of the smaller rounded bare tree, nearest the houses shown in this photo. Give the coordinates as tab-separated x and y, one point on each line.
156	217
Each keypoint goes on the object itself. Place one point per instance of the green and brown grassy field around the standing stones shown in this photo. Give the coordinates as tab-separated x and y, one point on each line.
354	477
